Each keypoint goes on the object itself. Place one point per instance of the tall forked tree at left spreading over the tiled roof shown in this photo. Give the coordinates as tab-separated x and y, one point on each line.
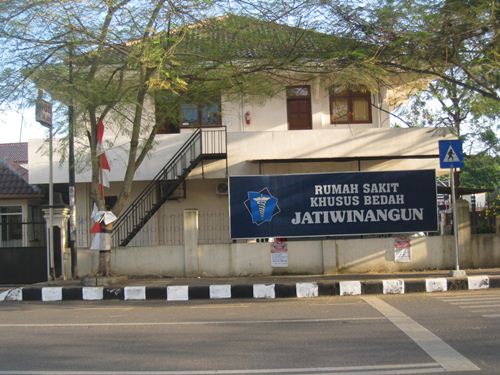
125	52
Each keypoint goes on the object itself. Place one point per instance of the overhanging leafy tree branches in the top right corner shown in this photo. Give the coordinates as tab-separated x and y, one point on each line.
454	40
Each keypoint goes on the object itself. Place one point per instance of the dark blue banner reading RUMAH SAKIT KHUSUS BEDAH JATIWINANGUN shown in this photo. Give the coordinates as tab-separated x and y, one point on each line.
332	204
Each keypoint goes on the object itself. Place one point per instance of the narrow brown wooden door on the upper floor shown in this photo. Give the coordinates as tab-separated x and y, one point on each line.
298	107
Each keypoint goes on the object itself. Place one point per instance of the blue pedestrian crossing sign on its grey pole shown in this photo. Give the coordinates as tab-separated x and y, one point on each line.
451	156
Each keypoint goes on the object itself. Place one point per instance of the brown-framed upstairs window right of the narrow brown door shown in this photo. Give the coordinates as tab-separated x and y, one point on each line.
350	107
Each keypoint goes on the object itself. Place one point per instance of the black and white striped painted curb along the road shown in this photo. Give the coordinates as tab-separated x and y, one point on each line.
258	291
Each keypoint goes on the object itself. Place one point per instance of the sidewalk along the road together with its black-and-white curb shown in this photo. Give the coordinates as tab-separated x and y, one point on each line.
183	289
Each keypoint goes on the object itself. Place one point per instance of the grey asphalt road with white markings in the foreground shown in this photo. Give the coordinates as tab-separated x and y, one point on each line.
406	334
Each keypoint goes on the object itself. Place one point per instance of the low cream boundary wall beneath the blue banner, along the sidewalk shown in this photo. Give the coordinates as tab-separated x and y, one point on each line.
305	257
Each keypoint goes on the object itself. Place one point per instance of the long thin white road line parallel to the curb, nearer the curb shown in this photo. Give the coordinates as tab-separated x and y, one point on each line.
194	323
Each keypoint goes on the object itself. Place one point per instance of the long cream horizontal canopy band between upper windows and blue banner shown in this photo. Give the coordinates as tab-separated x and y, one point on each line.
245	149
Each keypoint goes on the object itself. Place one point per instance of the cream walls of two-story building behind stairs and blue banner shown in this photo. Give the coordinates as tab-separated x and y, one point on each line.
307	127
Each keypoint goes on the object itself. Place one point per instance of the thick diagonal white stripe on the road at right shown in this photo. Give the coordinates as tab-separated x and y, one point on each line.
441	352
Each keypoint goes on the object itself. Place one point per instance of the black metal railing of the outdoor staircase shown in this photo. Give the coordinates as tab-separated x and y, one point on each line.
157	192
